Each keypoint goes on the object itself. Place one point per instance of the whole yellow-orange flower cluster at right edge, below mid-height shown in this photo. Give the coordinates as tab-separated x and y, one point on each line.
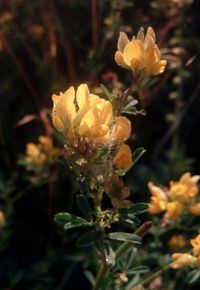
180	196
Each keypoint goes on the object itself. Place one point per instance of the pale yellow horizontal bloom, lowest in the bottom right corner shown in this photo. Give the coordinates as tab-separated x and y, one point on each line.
182	259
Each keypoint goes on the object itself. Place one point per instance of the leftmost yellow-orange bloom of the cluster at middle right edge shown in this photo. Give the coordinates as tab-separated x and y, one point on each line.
158	200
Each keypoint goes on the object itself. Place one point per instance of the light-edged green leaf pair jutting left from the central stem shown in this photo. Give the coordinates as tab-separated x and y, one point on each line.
70	221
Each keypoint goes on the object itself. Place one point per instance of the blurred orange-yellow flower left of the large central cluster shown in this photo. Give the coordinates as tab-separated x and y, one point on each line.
41	153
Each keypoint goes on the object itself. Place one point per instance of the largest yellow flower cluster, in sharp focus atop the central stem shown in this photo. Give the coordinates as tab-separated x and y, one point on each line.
88	122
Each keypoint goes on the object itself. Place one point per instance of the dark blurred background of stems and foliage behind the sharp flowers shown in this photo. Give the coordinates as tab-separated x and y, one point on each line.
47	46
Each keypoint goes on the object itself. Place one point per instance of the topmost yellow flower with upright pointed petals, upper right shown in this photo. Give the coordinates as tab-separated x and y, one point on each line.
140	53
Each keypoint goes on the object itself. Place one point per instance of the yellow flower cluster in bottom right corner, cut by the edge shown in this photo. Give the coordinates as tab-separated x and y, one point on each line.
181	260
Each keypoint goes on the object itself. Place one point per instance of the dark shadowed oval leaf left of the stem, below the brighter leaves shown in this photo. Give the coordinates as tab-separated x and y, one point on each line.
90	238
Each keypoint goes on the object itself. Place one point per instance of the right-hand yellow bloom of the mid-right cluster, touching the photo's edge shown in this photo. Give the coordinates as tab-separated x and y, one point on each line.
185	188
